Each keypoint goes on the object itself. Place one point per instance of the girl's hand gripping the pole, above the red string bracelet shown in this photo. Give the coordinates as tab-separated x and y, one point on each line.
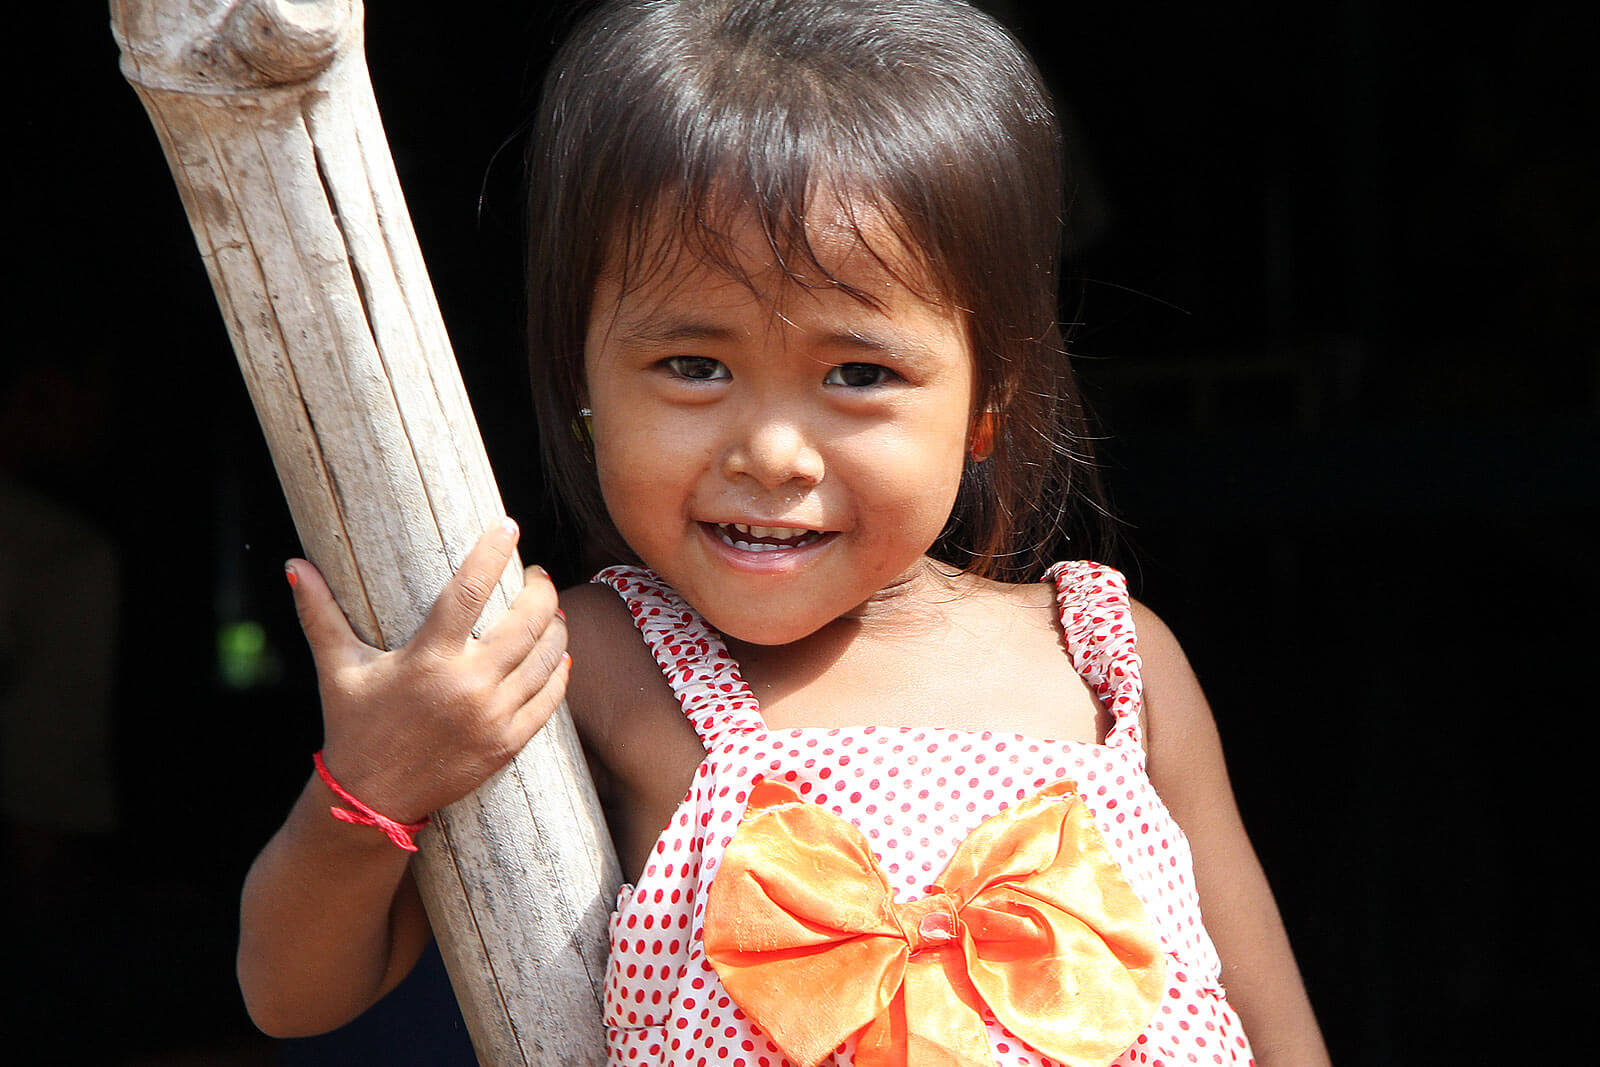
412	730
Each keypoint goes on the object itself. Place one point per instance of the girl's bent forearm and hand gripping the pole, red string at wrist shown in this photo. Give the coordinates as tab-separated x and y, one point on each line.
330	919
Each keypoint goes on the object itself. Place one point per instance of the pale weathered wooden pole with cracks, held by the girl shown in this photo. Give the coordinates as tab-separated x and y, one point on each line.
266	113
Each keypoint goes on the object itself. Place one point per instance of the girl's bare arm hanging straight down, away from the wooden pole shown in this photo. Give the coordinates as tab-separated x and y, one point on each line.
1188	770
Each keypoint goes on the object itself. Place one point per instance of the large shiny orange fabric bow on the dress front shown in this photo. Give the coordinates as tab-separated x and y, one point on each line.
1031	919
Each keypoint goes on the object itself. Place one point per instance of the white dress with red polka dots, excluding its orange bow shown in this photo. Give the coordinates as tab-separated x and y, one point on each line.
916	794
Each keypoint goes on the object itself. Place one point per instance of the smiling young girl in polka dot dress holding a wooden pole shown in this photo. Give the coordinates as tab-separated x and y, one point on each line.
884	794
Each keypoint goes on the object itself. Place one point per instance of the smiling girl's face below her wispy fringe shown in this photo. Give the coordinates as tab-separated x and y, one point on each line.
780	455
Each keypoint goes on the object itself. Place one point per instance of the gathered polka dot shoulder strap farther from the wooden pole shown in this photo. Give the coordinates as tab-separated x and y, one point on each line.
1097	618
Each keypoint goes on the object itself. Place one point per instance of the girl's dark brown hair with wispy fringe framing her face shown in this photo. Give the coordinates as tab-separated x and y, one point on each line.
924	111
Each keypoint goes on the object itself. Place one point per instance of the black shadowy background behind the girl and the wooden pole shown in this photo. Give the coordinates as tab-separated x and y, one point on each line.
1335	279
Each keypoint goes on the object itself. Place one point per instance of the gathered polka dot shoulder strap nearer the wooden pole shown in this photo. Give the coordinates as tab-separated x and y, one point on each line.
692	655
